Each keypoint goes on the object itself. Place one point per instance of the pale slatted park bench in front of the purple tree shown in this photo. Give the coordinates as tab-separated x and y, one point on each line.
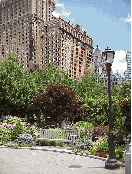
58	135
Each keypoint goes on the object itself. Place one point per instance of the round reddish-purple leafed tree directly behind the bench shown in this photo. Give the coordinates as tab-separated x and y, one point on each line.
57	104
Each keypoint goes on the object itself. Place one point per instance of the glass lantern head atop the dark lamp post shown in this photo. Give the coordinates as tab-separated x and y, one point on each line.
108	55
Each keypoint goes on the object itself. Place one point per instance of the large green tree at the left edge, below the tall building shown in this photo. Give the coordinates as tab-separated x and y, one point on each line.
15	86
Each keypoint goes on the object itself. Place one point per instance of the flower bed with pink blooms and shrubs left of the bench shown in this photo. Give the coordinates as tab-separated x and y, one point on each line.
16	132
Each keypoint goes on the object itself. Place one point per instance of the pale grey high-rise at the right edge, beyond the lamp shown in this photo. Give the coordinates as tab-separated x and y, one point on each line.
128	71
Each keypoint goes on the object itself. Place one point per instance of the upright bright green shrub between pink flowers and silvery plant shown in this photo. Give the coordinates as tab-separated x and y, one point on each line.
18	129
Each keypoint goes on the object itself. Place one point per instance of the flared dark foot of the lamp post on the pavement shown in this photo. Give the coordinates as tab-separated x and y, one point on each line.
112	164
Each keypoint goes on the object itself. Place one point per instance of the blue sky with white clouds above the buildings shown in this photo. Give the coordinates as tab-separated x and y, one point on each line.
107	21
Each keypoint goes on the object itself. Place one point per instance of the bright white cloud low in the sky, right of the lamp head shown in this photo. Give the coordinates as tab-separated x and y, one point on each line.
119	63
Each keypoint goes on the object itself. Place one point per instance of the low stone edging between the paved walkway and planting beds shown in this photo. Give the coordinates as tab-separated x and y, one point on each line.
62	150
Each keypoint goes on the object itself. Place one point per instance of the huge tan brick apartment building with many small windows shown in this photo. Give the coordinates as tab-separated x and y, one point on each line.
29	29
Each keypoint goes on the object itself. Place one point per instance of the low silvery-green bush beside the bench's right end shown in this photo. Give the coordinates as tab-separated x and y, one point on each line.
83	143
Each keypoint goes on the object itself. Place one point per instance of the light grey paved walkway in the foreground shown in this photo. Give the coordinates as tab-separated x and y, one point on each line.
26	161
